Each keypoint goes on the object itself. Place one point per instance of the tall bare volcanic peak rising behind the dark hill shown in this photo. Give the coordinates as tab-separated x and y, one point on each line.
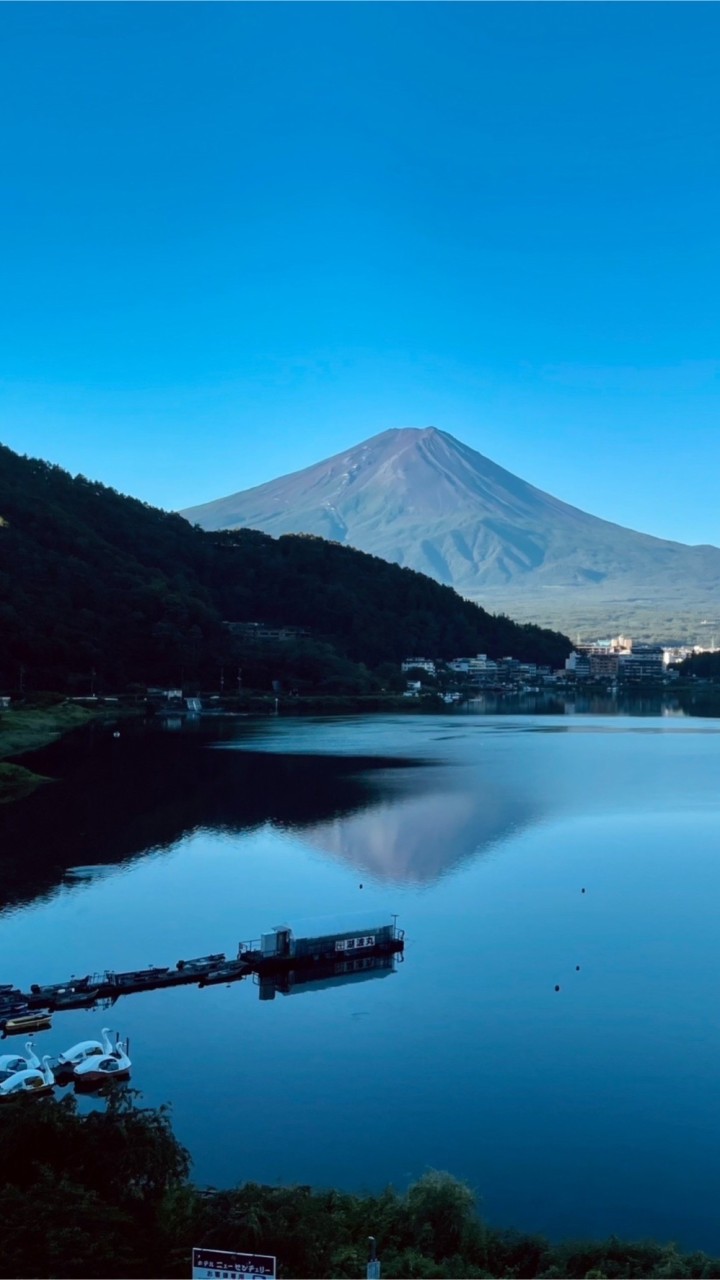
421	499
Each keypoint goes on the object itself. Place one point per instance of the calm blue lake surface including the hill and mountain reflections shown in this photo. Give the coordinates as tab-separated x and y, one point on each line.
577	1113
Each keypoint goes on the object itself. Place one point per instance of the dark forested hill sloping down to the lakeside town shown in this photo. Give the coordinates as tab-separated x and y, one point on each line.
94	582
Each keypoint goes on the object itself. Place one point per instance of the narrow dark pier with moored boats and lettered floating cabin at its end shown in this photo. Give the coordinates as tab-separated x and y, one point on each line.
279	961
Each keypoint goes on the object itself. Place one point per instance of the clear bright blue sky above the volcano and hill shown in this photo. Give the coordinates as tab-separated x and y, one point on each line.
238	239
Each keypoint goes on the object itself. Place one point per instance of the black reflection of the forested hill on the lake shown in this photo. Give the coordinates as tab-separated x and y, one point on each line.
113	801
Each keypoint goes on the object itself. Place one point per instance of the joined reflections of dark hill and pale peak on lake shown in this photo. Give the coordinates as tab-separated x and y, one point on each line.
120	799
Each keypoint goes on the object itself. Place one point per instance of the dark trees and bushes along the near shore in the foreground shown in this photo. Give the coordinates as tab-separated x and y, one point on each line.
108	1195
